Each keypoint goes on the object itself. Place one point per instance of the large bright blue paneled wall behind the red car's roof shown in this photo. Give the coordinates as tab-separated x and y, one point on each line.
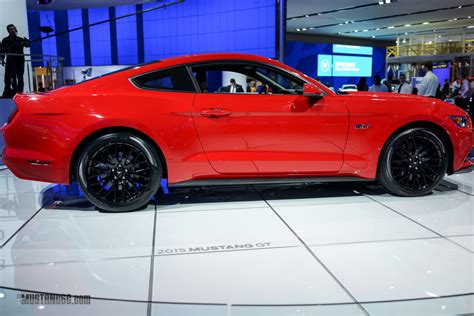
194	26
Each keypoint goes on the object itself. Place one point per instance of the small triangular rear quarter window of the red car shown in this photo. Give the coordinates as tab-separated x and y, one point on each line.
174	79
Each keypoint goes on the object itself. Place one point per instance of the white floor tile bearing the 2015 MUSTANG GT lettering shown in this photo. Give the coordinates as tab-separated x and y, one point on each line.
232	229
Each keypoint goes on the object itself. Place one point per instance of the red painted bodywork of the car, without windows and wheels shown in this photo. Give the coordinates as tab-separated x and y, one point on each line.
262	136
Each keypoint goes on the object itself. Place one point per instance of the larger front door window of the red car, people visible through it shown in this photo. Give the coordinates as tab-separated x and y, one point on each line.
244	78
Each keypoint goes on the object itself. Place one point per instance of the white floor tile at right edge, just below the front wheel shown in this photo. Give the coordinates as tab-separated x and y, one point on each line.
446	215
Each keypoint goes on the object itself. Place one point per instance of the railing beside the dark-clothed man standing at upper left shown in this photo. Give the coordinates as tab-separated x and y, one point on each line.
45	68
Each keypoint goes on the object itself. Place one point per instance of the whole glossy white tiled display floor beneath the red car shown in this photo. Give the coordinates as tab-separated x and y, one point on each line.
329	249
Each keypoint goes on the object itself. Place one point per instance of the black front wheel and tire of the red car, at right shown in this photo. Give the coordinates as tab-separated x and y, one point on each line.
413	162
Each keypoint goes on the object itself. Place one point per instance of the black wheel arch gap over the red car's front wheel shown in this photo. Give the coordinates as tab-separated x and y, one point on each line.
435	128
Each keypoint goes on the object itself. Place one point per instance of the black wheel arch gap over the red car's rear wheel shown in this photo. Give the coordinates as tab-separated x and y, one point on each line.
109	130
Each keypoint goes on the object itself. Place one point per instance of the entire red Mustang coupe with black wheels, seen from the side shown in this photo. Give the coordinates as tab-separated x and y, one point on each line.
179	119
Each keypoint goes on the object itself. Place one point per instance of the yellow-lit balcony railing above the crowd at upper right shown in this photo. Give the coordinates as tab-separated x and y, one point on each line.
444	48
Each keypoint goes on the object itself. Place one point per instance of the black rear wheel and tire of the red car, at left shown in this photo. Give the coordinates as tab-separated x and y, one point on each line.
119	172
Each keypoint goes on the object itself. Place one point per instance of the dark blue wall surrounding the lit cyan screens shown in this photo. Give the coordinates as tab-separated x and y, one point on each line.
304	57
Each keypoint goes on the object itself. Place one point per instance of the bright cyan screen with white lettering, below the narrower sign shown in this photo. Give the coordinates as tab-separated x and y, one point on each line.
351	66
